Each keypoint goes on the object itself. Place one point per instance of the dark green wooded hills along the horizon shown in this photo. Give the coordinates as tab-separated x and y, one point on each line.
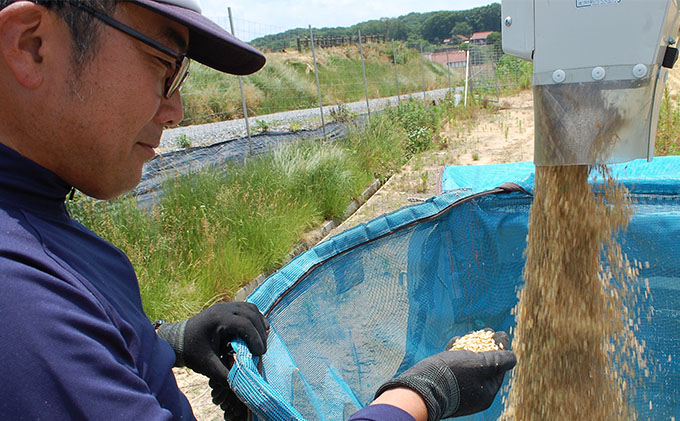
431	28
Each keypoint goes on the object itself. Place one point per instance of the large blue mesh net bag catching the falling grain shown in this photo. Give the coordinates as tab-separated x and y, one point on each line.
367	304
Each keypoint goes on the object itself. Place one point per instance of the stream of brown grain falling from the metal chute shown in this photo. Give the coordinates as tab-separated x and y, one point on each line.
570	329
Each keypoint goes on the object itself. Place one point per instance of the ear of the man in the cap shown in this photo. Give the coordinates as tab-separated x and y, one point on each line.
20	41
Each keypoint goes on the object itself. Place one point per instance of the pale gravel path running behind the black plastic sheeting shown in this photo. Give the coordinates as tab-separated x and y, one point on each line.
207	134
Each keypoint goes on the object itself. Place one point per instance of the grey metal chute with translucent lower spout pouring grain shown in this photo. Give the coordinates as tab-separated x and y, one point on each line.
600	67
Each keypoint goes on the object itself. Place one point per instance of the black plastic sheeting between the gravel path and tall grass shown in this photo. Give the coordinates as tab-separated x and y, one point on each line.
175	163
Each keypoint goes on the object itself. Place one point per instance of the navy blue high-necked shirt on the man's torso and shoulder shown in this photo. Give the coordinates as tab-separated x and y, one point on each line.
75	342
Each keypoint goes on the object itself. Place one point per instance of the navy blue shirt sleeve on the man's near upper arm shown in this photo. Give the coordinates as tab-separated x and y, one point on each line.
64	357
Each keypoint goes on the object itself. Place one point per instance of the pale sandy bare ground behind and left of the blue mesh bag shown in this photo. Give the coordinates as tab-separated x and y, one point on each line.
503	134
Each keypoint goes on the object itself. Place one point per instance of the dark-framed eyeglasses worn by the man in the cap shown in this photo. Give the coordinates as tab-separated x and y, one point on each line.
181	68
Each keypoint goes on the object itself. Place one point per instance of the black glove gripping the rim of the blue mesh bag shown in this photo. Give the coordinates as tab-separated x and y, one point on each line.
202	341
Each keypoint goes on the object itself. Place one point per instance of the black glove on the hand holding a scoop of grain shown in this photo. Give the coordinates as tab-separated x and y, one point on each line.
457	383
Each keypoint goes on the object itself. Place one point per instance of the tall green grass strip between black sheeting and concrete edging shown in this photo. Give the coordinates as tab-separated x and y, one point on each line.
217	229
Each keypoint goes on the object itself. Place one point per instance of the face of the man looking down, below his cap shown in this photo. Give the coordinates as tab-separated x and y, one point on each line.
110	118
